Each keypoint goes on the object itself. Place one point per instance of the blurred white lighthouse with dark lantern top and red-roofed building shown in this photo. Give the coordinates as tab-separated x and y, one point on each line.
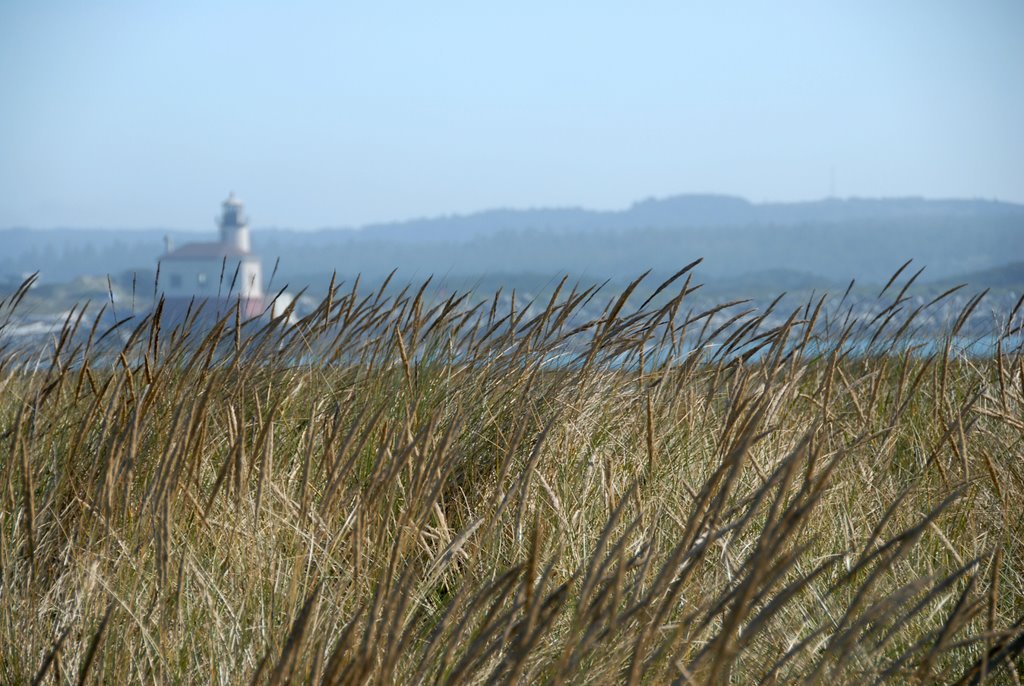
222	273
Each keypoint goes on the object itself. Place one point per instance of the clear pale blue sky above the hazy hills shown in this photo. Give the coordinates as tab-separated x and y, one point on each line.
318	114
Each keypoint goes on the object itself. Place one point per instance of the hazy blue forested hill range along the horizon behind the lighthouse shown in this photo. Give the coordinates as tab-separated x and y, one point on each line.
790	244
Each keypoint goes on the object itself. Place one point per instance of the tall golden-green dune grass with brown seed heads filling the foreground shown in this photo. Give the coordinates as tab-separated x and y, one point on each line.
399	490
